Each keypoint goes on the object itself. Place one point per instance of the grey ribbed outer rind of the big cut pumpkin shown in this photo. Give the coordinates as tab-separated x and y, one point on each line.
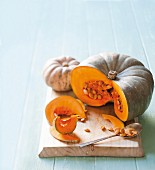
135	80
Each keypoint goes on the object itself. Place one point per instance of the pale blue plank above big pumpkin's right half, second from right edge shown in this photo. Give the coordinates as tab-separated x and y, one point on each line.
125	29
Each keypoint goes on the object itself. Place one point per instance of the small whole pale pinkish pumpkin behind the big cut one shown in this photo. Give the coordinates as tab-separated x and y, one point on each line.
56	72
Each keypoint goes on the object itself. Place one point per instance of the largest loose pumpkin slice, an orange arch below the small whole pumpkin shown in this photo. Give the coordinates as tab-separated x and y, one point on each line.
63	105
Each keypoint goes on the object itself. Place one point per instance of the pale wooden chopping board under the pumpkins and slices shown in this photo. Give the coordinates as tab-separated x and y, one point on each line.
116	146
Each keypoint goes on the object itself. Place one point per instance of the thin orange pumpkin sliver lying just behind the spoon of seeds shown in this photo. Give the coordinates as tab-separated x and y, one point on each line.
115	121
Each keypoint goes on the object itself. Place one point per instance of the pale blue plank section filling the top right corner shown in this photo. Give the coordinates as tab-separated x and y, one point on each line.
144	15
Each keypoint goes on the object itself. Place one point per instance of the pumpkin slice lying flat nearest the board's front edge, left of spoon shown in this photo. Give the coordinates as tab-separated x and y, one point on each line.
70	138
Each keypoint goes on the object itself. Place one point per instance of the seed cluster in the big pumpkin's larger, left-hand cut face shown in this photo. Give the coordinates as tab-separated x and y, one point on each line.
96	89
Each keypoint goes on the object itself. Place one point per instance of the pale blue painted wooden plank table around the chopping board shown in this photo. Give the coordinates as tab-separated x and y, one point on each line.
31	31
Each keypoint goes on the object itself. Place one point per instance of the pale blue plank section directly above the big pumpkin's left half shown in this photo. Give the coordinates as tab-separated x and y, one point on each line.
100	33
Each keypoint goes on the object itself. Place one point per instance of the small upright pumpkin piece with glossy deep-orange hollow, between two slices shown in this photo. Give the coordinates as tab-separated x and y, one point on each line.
65	125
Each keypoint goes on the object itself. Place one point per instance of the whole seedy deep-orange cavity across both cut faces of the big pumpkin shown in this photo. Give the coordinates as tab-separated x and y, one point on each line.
99	90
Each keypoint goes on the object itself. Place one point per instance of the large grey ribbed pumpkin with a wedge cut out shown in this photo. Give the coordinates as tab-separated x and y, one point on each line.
111	77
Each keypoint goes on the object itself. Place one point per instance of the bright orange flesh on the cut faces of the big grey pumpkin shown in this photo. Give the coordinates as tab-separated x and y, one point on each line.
86	74
